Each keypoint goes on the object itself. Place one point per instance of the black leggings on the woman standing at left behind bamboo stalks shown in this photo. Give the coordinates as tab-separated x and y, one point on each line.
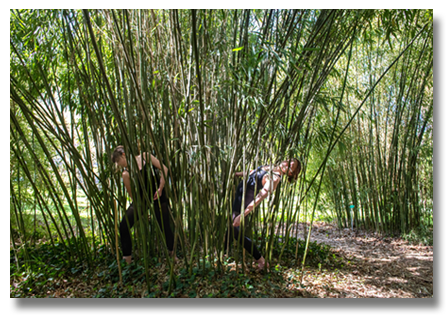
131	214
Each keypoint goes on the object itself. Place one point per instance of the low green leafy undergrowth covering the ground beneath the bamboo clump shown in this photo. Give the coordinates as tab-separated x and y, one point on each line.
52	274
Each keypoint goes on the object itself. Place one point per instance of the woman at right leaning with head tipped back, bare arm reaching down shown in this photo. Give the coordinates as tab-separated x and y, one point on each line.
259	185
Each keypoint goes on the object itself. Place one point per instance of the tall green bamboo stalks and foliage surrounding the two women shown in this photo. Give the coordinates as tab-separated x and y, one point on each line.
211	93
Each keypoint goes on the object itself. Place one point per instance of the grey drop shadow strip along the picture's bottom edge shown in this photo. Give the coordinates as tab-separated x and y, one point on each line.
226	306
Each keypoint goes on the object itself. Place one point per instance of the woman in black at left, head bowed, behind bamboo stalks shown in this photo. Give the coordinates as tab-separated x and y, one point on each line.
148	176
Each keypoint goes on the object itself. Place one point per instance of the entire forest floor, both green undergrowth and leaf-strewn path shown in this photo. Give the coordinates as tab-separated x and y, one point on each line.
367	265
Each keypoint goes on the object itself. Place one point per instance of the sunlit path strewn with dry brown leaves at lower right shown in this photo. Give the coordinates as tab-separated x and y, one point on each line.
377	266
